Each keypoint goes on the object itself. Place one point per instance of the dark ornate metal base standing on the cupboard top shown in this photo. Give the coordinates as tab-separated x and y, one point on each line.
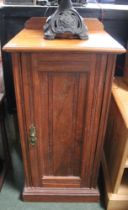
65	20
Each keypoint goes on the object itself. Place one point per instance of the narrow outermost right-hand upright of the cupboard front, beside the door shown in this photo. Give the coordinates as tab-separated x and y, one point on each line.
109	75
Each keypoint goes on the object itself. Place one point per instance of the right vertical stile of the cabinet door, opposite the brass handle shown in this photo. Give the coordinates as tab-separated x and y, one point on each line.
92	118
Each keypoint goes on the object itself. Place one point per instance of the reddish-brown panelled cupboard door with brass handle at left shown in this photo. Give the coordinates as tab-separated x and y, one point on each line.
63	98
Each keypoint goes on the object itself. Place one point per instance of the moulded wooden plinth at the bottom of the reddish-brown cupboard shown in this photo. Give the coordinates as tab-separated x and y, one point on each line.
60	195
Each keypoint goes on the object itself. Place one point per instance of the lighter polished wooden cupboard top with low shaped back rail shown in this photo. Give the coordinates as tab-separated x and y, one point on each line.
30	39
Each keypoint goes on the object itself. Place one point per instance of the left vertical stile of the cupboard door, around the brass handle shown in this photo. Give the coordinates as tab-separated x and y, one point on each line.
28	90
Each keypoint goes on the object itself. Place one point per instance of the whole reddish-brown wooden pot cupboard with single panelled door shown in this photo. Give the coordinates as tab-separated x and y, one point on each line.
63	90
